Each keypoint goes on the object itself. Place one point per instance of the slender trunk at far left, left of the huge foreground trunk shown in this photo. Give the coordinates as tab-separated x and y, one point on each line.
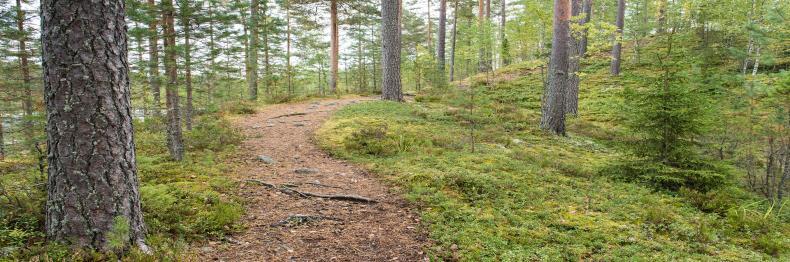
24	66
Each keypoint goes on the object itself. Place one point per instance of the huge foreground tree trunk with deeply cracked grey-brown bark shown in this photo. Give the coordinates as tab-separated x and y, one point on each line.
92	186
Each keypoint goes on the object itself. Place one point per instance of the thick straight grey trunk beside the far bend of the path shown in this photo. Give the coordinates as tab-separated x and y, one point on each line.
390	51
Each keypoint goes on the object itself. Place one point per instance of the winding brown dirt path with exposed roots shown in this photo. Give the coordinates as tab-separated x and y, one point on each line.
279	166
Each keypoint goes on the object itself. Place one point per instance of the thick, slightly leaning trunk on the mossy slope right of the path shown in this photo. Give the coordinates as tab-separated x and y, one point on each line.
553	111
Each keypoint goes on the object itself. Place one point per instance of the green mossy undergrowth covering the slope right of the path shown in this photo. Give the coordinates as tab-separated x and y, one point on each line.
524	195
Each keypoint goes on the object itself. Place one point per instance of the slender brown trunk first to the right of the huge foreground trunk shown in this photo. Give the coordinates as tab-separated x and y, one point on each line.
153	56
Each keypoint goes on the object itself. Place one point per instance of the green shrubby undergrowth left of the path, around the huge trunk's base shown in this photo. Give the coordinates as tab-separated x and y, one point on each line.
183	202
